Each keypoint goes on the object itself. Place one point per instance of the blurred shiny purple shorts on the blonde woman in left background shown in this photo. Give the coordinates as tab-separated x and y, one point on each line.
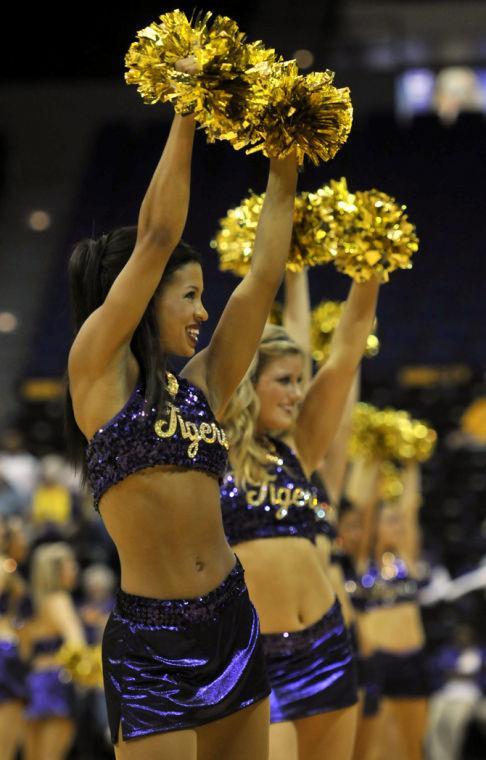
50	693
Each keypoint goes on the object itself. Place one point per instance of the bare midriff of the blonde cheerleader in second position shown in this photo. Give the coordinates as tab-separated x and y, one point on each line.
286	582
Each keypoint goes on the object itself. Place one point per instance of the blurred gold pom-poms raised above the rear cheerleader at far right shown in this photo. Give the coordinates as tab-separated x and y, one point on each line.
390	434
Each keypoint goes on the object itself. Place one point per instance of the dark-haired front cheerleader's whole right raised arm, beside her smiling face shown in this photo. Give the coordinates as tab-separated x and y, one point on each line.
223	364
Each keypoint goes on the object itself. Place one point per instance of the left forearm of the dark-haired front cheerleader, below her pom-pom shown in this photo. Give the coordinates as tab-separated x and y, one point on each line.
163	212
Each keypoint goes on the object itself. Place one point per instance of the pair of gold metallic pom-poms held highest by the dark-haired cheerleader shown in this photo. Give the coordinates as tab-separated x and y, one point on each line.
240	91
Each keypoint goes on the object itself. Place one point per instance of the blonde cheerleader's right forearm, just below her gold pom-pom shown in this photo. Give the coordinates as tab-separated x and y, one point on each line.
349	339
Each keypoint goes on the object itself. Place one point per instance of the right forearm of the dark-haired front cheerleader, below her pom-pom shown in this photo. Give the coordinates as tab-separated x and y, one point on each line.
274	231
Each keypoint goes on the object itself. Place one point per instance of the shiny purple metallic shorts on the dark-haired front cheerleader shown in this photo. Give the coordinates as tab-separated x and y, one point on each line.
171	664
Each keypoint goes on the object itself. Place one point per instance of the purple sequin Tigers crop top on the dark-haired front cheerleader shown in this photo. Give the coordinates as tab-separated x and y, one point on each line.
187	436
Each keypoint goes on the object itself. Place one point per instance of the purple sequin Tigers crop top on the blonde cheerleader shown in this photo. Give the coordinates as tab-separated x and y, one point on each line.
287	505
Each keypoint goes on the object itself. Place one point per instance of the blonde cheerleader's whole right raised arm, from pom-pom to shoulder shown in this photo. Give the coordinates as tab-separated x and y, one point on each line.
323	405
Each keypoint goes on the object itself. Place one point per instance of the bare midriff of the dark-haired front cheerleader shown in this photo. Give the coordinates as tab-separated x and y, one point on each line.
167	527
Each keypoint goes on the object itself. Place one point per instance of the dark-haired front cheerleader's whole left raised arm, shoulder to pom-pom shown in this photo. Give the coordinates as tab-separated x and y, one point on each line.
107	332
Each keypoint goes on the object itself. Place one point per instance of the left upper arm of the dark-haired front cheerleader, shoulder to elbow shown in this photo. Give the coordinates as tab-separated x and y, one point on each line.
107	332
